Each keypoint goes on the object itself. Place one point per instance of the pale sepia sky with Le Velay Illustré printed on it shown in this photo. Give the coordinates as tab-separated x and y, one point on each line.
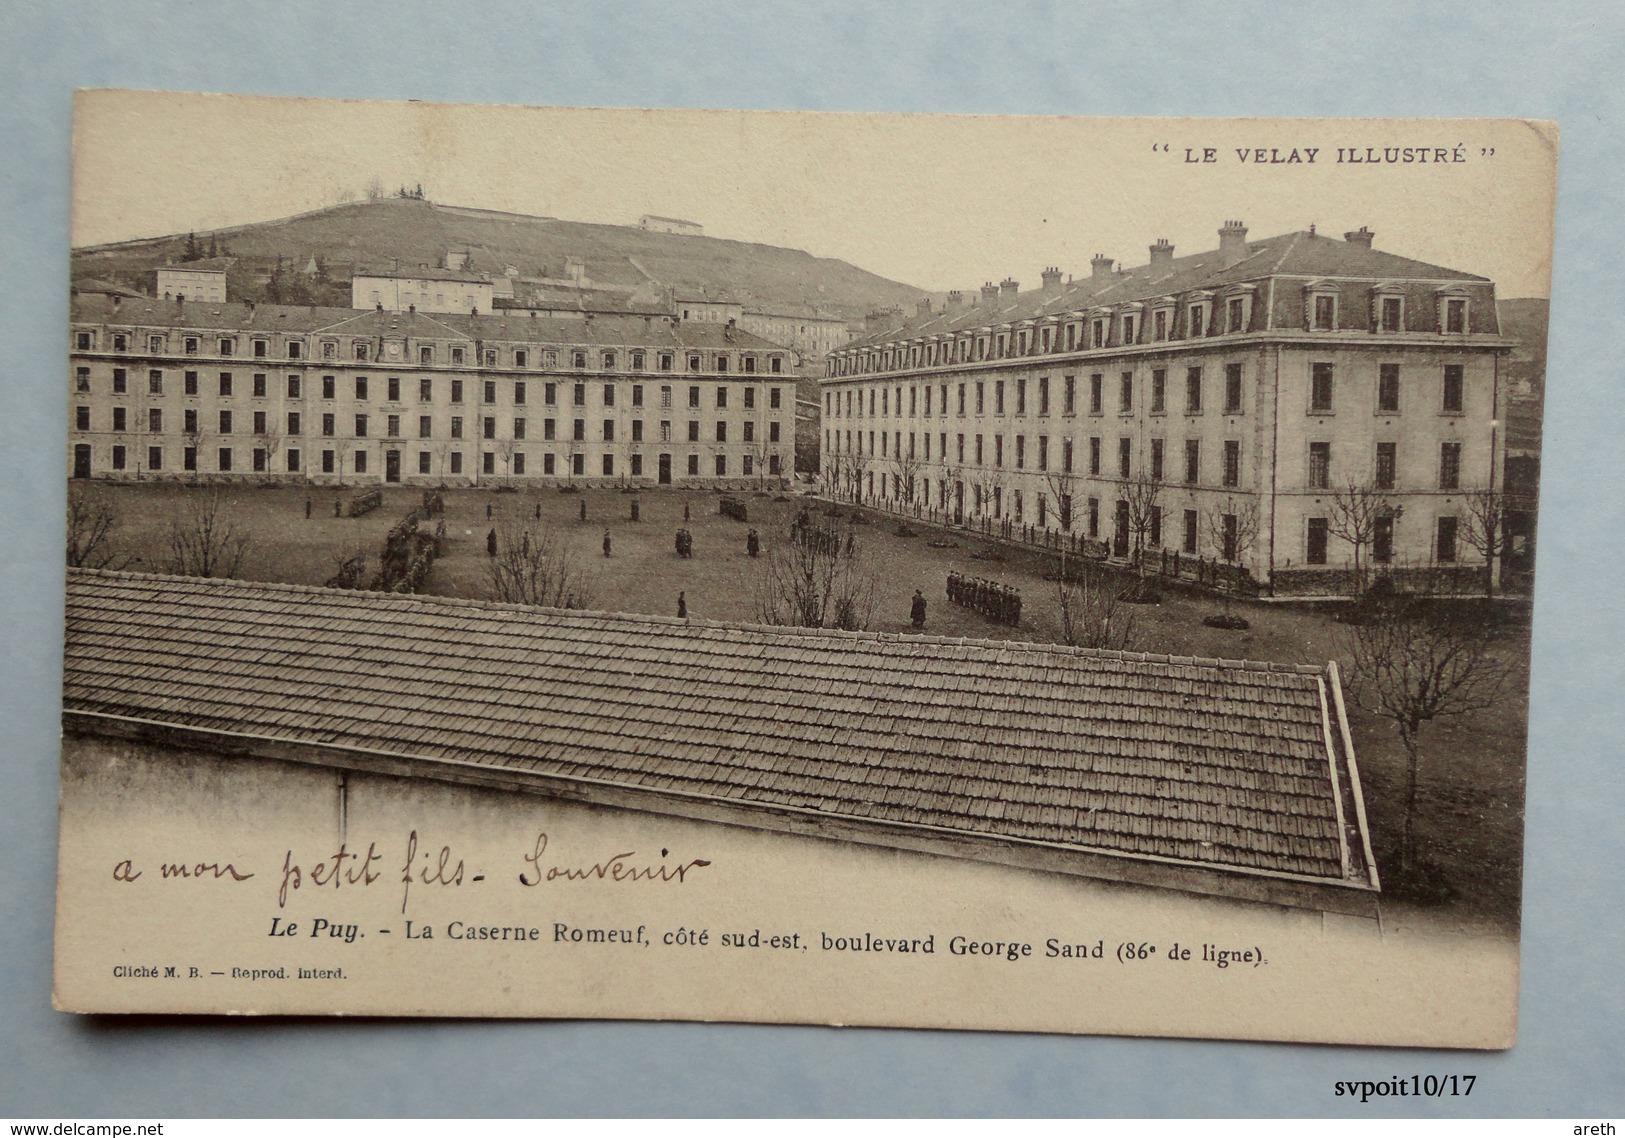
938	202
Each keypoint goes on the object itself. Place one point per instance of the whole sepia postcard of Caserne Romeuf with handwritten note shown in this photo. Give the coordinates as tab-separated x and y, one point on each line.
989	573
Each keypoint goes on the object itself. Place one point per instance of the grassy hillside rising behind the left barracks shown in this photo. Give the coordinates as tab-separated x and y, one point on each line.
414	232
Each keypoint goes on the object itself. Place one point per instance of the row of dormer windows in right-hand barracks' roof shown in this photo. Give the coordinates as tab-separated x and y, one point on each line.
1130	326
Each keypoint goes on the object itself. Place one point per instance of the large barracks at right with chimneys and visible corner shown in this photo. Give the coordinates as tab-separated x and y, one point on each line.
1250	384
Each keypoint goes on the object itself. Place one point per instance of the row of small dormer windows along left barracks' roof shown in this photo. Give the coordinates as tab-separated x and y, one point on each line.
459	355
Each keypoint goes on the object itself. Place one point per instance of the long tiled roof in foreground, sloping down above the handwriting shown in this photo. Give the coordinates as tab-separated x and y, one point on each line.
1228	767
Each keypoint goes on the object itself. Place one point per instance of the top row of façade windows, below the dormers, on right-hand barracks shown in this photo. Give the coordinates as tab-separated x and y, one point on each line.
1013	396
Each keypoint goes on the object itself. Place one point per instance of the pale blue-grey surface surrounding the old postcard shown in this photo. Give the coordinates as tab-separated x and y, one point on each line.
1554	61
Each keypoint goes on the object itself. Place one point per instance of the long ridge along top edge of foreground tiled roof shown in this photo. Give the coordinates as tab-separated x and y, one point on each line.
711	625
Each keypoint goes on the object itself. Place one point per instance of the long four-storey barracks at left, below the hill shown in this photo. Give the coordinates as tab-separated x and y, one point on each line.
214	391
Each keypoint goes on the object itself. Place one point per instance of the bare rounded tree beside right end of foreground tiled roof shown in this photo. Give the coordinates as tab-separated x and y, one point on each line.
1416	661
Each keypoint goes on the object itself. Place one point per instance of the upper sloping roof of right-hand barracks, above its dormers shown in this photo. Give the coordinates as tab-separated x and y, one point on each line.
1291	254
